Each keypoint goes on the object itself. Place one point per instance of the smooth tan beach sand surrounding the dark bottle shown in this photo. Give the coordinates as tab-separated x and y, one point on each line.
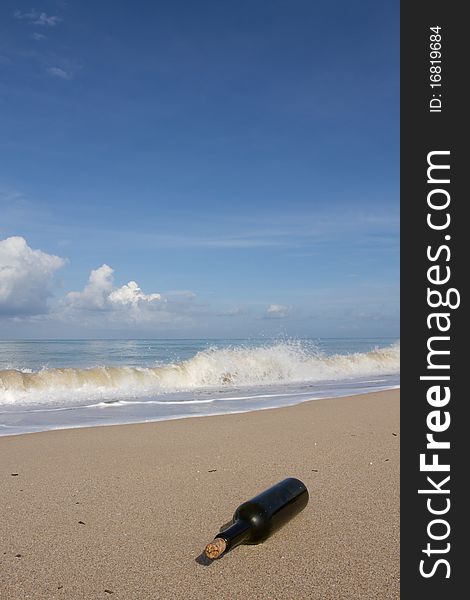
124	512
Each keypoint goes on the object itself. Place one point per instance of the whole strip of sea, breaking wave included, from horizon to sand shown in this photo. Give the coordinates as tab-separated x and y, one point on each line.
56	384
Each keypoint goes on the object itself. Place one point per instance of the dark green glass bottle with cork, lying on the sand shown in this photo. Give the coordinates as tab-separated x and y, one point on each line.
258	518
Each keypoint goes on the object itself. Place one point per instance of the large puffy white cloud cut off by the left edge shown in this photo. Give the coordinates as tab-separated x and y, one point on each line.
26	277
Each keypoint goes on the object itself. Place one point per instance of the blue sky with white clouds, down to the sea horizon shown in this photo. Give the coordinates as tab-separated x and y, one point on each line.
240	160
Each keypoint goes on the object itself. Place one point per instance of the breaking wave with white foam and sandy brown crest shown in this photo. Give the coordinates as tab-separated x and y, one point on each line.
282	363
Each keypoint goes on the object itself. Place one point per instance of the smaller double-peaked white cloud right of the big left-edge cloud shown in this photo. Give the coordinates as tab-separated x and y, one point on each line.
101	294
